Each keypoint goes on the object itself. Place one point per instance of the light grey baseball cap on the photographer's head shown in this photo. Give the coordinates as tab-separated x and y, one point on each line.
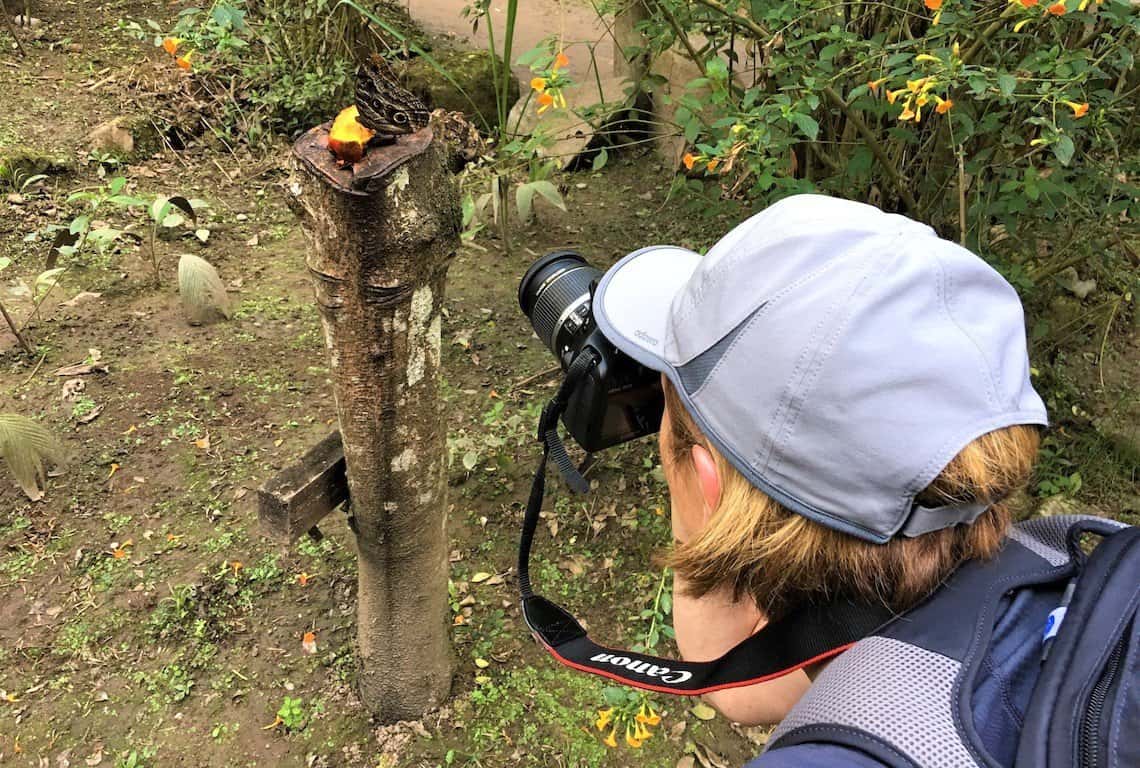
840	357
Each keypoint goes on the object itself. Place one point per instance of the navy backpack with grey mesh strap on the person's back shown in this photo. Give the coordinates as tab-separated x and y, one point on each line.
903	695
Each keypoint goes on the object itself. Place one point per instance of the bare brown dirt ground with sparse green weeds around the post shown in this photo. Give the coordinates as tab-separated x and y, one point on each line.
144	620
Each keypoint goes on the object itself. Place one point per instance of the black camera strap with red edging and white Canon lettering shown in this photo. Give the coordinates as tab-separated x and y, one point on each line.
807	636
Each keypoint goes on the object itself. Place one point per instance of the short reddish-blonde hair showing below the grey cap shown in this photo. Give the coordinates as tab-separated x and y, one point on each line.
756	548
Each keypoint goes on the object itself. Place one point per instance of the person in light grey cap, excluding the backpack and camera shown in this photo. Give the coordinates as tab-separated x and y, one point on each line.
849	413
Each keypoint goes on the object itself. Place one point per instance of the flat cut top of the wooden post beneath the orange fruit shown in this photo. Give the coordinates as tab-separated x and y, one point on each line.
378	162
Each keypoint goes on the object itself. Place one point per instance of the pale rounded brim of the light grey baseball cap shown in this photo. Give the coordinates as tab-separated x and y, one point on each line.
632	303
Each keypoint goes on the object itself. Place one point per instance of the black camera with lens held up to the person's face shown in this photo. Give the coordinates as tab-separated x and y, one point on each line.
620	399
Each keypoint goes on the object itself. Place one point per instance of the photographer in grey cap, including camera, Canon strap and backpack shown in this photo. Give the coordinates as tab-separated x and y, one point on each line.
848	411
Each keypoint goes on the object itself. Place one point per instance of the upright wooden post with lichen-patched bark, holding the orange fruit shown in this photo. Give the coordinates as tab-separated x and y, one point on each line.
382	235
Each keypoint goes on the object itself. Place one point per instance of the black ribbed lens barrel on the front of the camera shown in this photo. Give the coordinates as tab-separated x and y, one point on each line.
555	295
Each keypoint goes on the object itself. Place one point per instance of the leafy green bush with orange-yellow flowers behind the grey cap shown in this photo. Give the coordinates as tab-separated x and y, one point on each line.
991	122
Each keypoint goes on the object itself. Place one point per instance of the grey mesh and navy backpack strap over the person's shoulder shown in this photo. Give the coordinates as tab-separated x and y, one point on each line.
898	695
